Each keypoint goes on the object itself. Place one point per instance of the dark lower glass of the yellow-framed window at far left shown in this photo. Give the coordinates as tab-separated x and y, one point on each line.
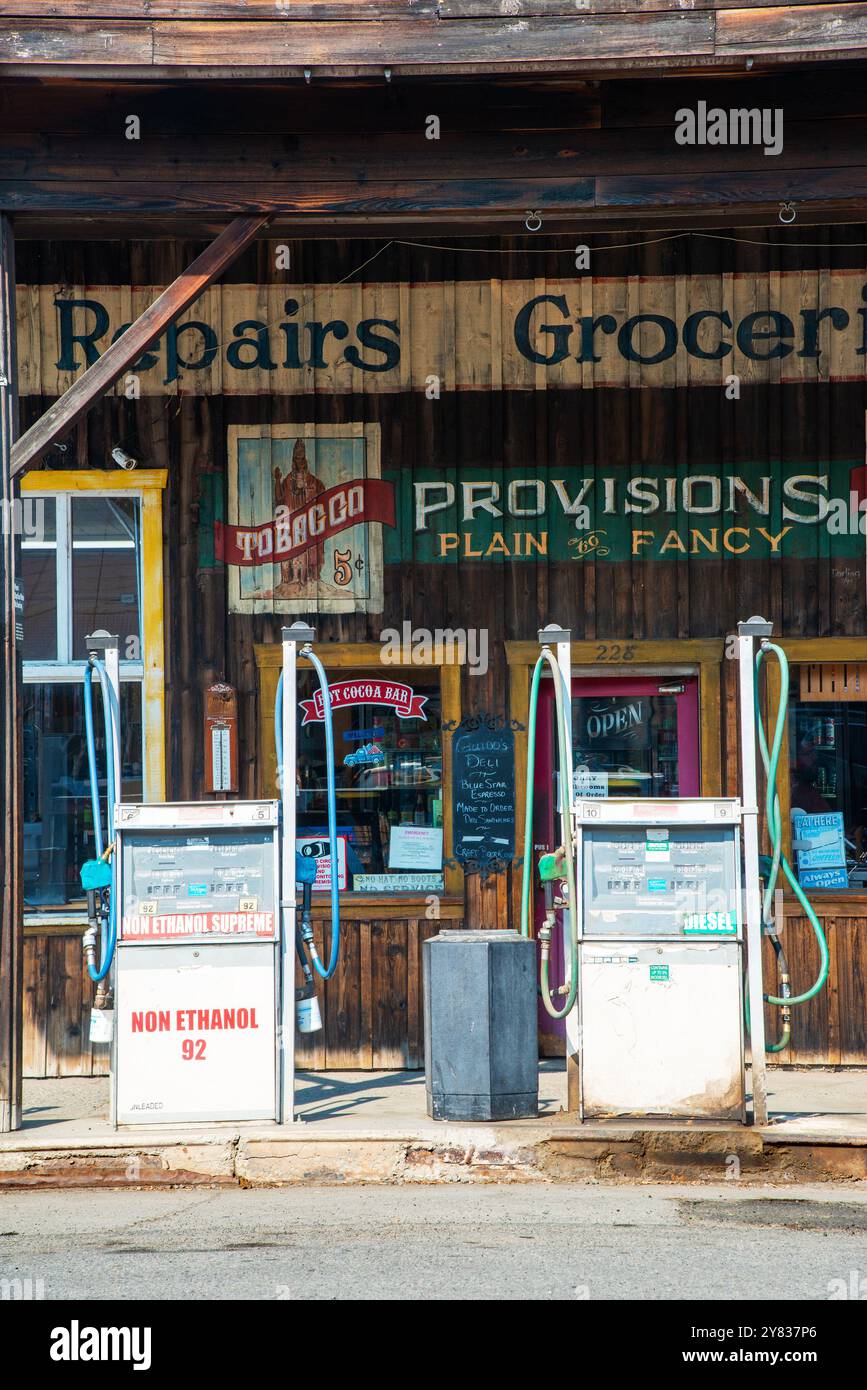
58	812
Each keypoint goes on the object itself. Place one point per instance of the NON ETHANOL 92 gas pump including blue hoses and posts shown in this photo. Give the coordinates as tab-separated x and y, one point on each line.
195	929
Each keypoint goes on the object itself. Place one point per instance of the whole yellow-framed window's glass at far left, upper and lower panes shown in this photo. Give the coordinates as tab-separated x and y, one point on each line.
80	572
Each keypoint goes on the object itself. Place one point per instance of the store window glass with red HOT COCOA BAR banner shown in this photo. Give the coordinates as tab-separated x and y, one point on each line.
390	780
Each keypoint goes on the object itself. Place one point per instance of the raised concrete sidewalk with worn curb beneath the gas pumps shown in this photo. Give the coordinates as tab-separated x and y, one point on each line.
372	1127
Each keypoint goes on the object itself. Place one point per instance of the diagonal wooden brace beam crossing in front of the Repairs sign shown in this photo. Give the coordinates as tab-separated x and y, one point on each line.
126	352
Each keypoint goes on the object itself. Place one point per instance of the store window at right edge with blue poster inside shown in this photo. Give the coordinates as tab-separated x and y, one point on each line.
829	775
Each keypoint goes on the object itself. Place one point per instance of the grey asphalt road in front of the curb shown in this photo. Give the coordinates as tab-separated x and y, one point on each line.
413	1243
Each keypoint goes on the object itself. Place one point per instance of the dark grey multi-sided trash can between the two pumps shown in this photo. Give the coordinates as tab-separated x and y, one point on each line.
480	1018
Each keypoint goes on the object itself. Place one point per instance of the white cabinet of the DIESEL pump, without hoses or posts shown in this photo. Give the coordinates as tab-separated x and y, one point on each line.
658	1020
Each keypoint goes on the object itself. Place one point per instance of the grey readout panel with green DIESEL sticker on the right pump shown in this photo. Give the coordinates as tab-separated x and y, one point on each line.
643	881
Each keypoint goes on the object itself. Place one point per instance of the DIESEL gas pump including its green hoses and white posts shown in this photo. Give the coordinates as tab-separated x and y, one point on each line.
663	903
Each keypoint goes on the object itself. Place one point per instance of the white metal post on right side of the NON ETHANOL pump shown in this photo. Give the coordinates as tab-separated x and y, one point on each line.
292	637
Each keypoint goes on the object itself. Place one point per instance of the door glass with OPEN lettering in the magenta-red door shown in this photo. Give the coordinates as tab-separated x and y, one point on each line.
626	746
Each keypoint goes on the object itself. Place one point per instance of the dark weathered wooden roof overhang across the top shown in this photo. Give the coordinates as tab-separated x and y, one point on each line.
313	113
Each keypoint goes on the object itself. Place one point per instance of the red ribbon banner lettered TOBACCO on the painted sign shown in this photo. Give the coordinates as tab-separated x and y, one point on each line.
327	515
